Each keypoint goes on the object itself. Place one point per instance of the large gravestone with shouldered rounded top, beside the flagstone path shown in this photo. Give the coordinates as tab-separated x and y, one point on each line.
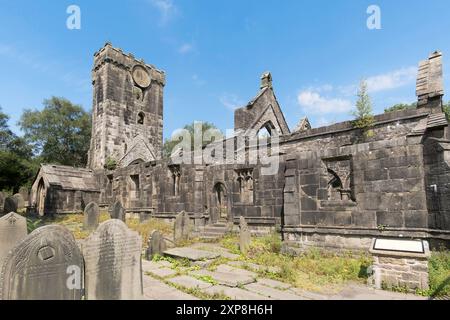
112	256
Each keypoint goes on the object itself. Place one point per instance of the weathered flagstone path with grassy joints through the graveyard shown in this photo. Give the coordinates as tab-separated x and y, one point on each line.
165	280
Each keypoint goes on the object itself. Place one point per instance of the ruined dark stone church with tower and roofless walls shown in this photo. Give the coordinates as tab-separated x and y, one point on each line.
335	186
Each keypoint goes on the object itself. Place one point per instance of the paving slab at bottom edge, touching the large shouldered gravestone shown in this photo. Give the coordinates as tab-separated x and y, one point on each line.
156	290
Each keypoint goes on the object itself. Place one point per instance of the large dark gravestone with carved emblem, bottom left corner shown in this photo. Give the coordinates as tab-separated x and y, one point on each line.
46	265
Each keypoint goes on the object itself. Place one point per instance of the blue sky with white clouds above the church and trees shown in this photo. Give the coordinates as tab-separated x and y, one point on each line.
214	52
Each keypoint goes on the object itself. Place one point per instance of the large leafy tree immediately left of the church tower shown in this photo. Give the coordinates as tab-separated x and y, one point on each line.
60	133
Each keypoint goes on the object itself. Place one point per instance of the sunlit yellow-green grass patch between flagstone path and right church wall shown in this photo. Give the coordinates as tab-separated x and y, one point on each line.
314	270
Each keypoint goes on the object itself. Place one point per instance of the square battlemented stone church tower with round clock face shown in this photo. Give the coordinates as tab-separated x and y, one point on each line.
127	115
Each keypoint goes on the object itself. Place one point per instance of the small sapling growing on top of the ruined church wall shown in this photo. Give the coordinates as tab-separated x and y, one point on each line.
363	113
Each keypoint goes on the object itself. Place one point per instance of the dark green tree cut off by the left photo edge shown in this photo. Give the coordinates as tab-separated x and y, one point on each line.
17	167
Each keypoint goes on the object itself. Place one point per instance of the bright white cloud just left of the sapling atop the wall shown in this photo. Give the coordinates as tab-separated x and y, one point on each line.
313	102
